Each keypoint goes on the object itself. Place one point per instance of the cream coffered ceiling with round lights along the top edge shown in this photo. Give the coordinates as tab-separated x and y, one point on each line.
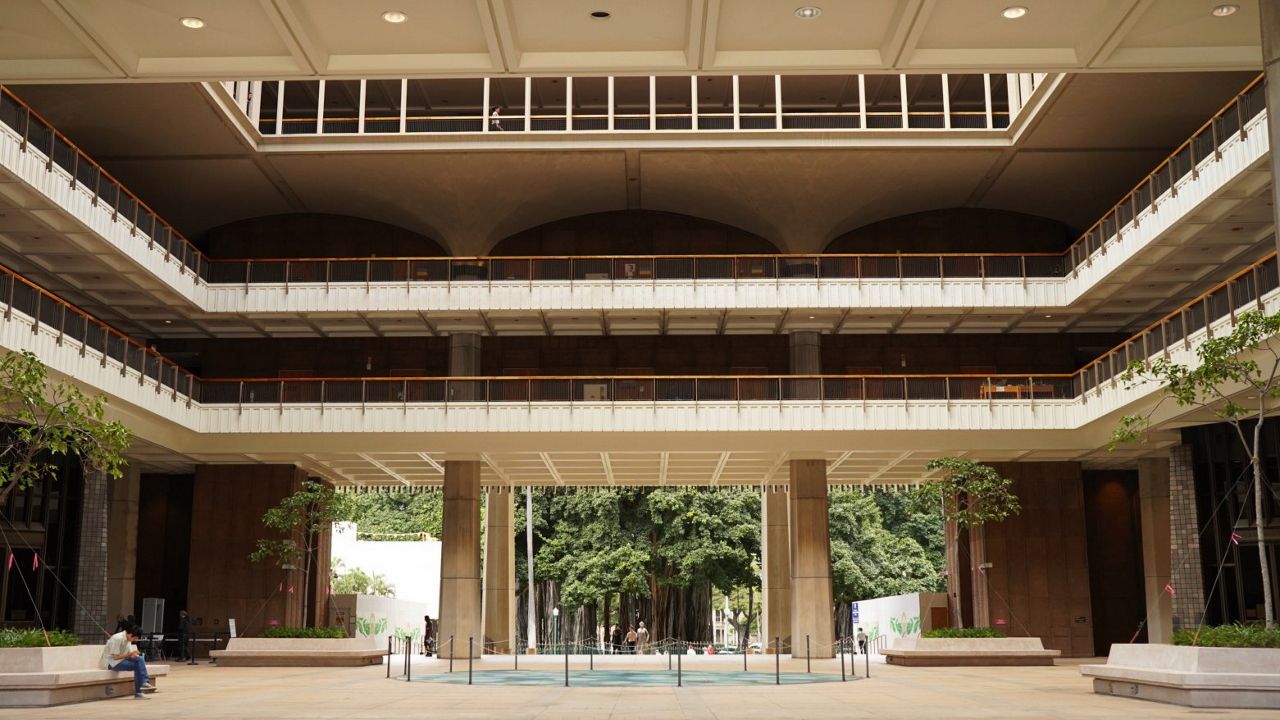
148	40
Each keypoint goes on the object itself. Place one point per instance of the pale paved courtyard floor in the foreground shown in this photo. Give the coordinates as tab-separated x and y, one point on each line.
934	694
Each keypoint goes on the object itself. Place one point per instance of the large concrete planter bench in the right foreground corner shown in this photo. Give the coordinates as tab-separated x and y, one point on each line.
1197	677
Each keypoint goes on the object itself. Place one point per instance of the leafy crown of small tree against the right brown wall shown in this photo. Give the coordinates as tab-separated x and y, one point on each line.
968	493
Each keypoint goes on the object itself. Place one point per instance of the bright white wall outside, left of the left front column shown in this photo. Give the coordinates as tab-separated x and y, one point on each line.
413	568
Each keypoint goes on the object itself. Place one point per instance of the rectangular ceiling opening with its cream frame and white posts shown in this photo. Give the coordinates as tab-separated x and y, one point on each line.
717	111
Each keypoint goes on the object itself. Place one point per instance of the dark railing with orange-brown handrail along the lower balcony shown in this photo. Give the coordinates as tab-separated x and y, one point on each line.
1240	294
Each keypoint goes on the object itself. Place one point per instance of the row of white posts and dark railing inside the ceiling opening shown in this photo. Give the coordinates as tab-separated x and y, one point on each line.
633	104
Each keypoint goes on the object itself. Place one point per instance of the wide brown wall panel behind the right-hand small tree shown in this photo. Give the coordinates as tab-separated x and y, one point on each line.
1039	582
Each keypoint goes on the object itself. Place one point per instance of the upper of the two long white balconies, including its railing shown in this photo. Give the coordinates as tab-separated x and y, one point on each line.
1214	174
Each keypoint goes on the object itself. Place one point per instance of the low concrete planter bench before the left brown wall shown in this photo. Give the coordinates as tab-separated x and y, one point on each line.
300	653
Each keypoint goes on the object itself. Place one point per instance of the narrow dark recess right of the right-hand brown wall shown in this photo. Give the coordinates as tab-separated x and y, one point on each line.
1114	534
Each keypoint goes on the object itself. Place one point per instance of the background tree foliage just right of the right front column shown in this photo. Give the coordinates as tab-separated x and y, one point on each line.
867	559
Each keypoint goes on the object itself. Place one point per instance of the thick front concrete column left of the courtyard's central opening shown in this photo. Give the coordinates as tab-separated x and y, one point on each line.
460	560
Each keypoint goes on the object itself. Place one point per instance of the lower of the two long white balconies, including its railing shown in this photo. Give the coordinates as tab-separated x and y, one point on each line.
203	418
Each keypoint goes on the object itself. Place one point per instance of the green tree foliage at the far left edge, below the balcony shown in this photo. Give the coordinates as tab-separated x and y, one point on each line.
47	421
